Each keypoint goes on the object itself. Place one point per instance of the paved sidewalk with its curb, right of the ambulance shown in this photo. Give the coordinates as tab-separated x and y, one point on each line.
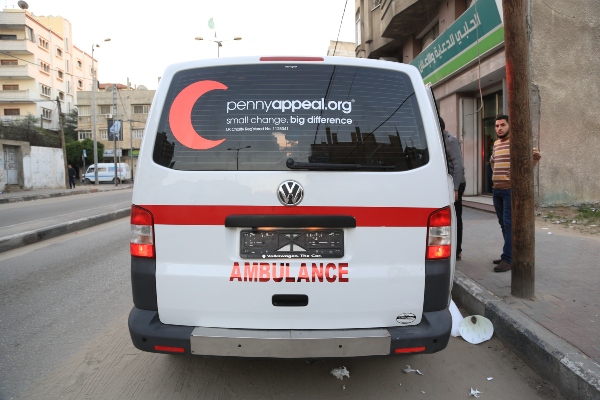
558	331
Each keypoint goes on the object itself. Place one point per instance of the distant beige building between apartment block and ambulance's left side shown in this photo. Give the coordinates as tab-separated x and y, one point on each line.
132	107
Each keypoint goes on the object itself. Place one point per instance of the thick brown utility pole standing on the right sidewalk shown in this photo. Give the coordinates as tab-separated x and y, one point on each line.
521	148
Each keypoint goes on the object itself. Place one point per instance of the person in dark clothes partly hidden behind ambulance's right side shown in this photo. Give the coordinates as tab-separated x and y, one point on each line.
456	169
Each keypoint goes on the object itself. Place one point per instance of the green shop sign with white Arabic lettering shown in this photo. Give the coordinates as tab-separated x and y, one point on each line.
477	31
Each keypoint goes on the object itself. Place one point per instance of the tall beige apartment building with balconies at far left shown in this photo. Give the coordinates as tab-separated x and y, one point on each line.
38	64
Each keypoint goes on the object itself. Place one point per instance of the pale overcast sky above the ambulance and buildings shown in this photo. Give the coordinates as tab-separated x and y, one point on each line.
147	36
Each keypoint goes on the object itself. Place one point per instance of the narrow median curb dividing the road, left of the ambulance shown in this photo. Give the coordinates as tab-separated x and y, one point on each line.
26	238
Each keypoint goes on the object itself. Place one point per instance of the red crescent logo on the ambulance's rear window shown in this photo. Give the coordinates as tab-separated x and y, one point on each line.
180	116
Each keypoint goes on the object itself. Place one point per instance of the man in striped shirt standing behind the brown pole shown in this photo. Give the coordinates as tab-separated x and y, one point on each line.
500	162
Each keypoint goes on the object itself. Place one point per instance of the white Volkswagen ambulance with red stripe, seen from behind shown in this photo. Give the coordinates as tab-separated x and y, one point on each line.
292	207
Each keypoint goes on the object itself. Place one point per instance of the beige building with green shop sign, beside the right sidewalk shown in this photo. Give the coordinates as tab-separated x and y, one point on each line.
458	47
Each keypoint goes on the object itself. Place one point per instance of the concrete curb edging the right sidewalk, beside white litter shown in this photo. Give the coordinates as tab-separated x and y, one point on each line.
574	374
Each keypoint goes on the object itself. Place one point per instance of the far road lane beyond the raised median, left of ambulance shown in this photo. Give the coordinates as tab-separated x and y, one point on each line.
30	215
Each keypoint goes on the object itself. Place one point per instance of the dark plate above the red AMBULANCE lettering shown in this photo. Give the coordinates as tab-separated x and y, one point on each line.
292	243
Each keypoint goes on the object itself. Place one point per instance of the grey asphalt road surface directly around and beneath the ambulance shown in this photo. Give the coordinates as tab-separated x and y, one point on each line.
64	305
